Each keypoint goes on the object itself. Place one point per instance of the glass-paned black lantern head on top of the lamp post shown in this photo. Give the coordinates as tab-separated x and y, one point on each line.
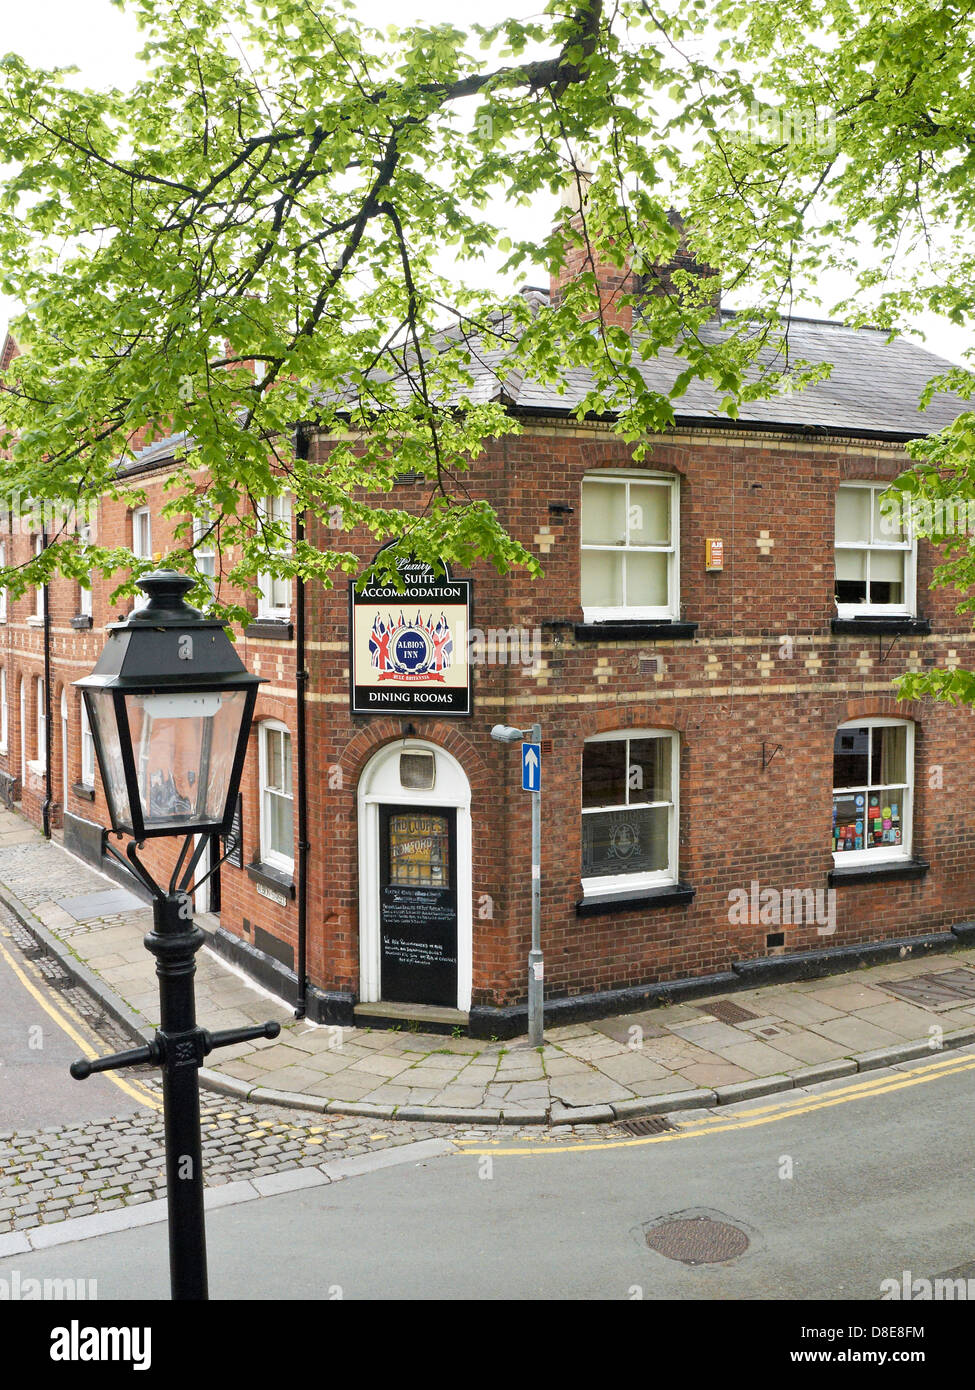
170	705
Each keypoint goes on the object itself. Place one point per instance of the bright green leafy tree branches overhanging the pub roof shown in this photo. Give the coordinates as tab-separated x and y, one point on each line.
280	184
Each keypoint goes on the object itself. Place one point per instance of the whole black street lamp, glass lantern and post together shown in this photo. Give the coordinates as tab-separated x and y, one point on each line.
170	707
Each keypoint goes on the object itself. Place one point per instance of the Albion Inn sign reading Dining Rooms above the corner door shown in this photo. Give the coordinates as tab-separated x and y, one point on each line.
410	647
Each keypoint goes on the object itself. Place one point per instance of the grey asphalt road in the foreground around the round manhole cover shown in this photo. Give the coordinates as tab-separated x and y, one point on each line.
835	1192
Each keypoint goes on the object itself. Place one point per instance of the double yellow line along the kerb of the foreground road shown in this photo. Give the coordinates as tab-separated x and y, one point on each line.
778	1110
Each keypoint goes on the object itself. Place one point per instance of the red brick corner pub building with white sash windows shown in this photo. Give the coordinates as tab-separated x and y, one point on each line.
727	776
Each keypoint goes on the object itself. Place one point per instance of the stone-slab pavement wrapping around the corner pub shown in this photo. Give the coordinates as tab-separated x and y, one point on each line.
699	1053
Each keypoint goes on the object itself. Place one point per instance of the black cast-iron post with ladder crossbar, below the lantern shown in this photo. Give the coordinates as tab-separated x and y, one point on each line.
180	1047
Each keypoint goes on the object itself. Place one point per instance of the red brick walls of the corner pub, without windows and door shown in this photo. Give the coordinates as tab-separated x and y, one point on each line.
727	692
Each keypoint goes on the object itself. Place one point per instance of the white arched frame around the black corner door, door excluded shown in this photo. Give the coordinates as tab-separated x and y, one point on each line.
380	785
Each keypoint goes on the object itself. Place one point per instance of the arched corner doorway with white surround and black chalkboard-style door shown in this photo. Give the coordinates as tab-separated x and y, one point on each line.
415	878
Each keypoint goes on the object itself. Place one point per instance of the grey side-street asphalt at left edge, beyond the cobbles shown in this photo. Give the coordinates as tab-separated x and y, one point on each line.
41	1035
